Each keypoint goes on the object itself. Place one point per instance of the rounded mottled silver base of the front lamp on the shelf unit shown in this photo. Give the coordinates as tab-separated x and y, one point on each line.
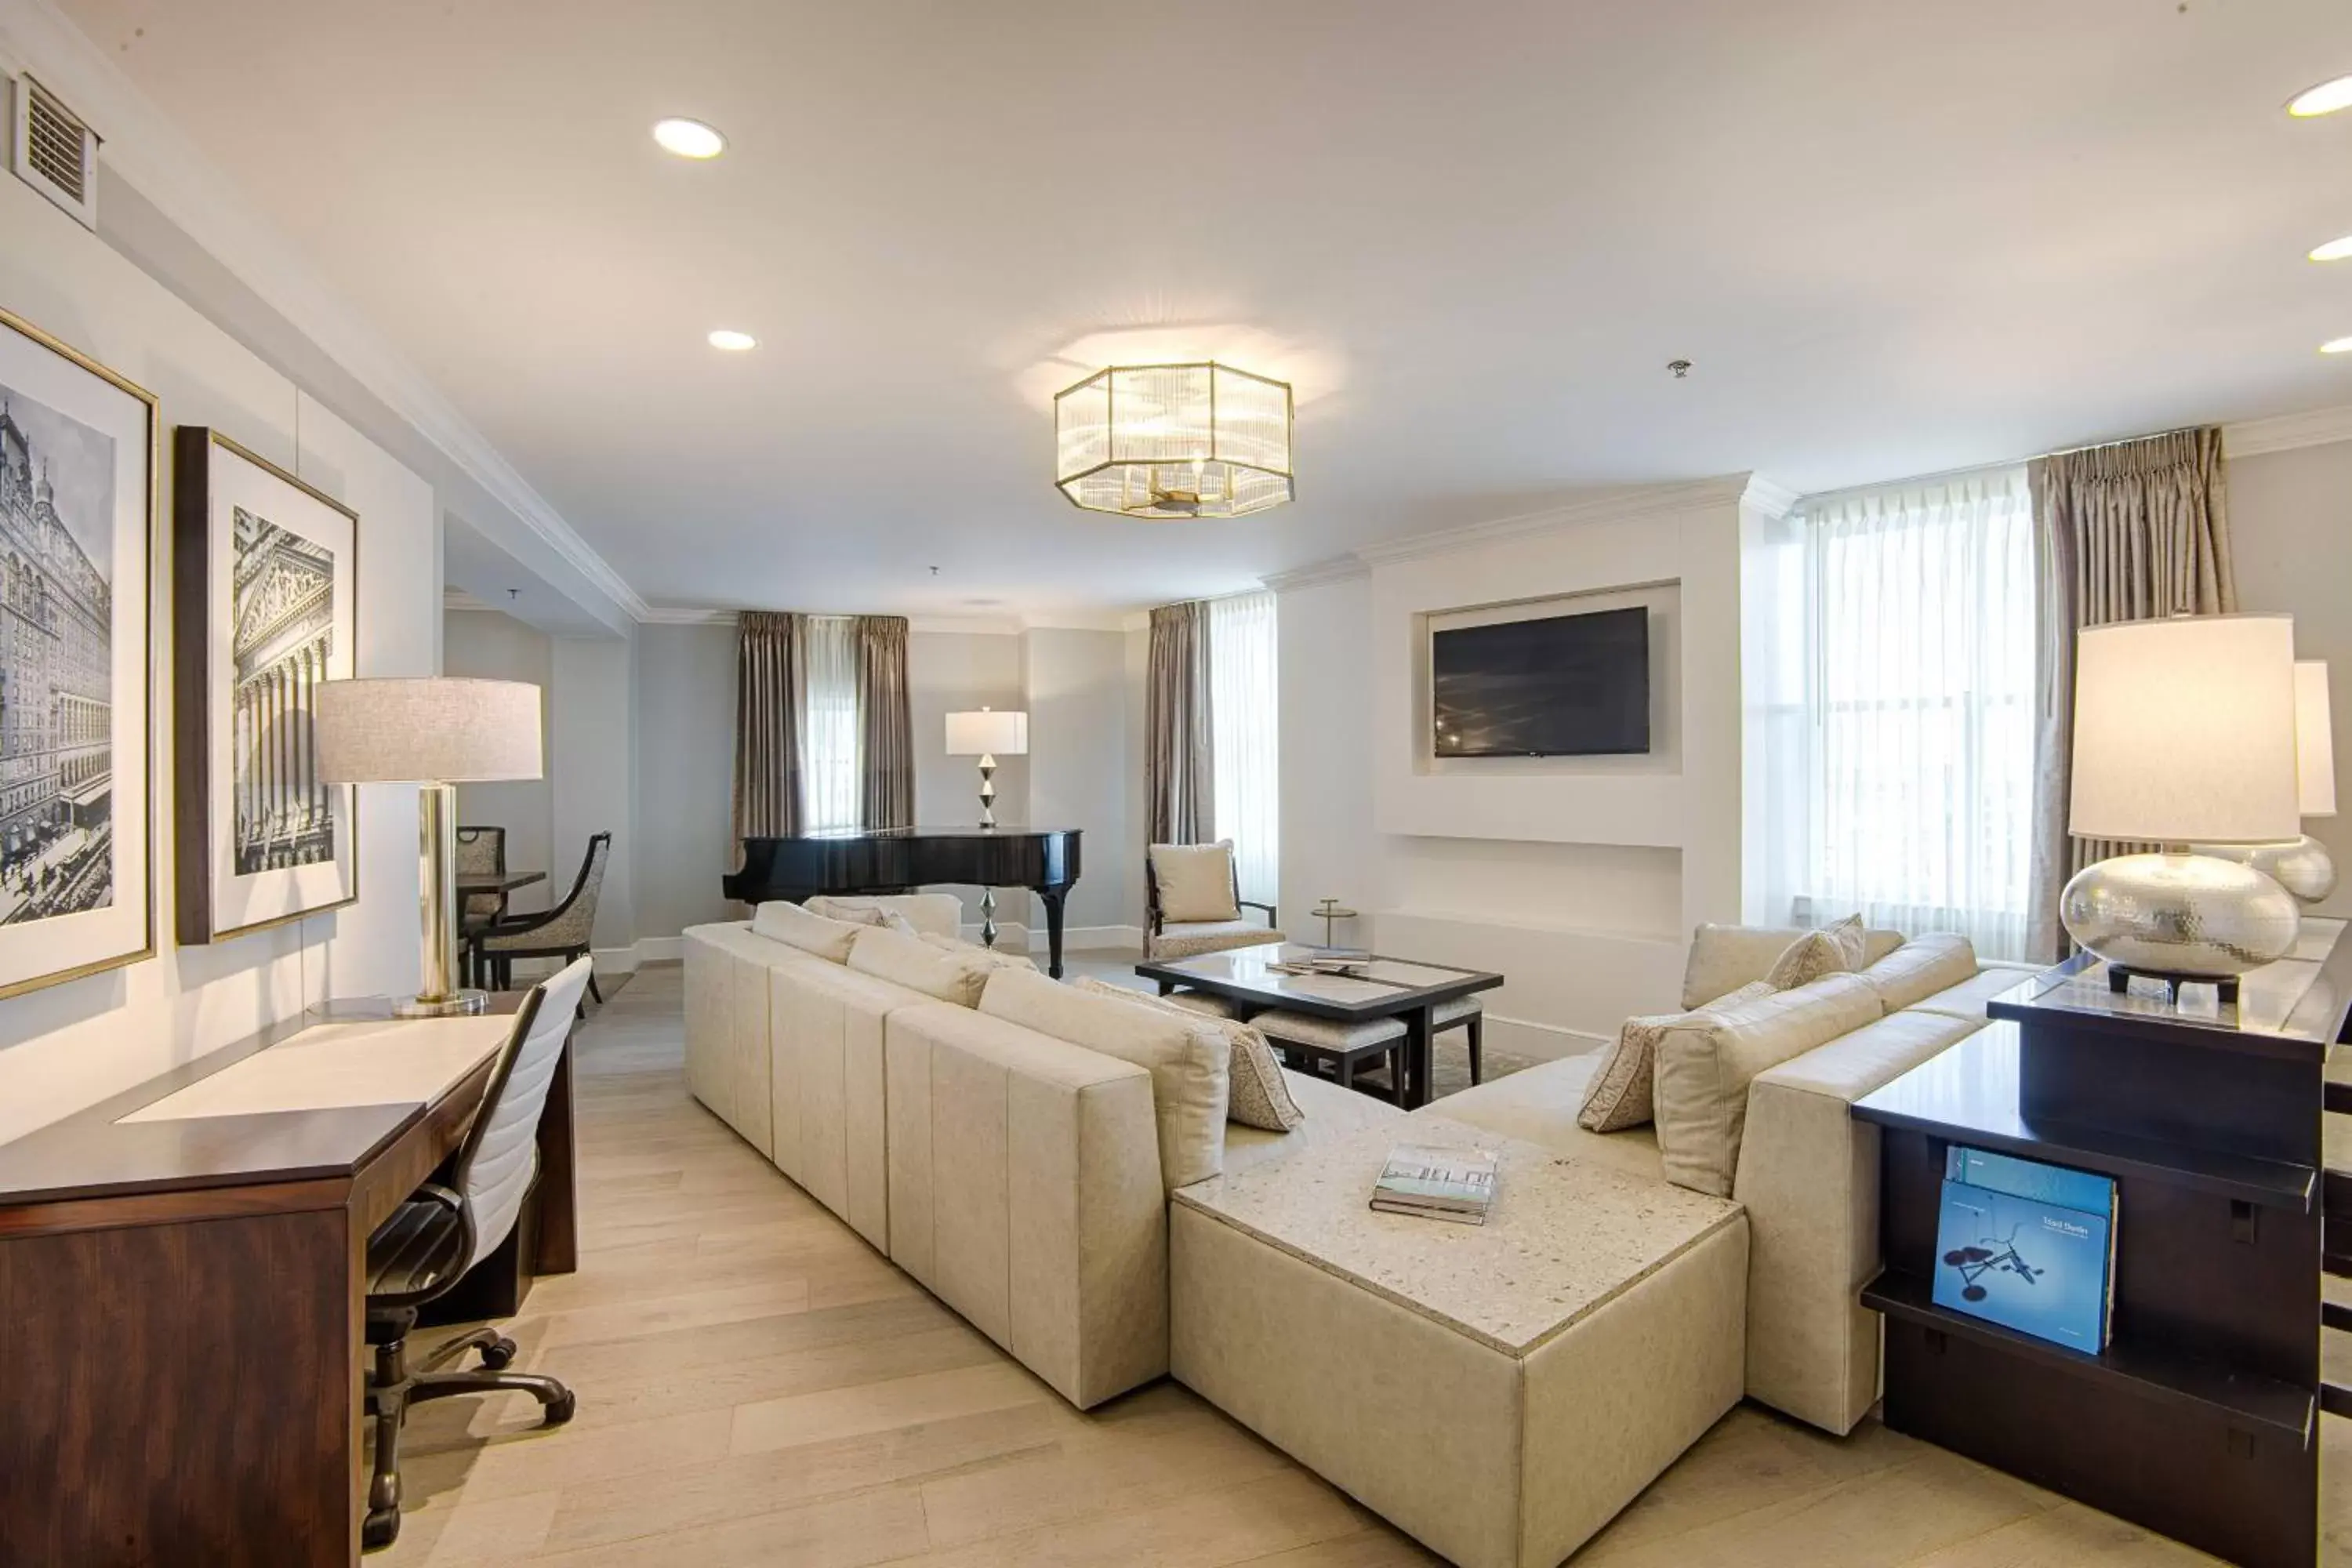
2179	916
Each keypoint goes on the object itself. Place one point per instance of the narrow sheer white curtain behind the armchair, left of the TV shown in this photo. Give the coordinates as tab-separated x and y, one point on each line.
1243	711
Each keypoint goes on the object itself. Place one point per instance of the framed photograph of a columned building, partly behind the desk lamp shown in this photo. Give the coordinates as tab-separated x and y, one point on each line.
265	594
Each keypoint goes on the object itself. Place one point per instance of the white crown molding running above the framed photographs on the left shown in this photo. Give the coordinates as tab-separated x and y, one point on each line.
152	154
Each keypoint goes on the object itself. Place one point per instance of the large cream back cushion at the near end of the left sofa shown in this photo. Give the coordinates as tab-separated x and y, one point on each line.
1187	1059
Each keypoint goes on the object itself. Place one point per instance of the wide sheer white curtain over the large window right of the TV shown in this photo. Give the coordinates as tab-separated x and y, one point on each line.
1911	791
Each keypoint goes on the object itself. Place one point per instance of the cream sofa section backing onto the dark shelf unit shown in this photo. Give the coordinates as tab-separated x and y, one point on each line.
1805	1172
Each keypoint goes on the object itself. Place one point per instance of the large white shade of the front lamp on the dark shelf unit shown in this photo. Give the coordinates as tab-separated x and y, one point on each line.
2186	730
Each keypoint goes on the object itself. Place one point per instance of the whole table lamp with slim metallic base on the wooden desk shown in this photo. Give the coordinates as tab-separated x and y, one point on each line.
434	732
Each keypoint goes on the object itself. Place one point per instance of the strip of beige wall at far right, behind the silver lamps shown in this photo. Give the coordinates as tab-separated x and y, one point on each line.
2292	514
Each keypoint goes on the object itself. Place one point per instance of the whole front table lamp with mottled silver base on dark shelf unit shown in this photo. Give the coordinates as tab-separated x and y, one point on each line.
2184	735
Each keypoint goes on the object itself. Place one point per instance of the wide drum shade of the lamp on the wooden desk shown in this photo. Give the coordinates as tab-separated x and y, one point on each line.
427	730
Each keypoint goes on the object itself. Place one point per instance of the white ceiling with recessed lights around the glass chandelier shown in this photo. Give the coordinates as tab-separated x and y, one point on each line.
1892	236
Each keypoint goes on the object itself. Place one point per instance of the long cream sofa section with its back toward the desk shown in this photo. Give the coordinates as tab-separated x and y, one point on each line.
973	1123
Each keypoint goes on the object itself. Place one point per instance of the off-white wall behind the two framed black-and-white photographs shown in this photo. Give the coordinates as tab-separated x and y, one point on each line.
72	1045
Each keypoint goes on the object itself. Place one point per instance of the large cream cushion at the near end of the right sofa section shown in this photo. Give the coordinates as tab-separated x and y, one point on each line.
1709	1061
